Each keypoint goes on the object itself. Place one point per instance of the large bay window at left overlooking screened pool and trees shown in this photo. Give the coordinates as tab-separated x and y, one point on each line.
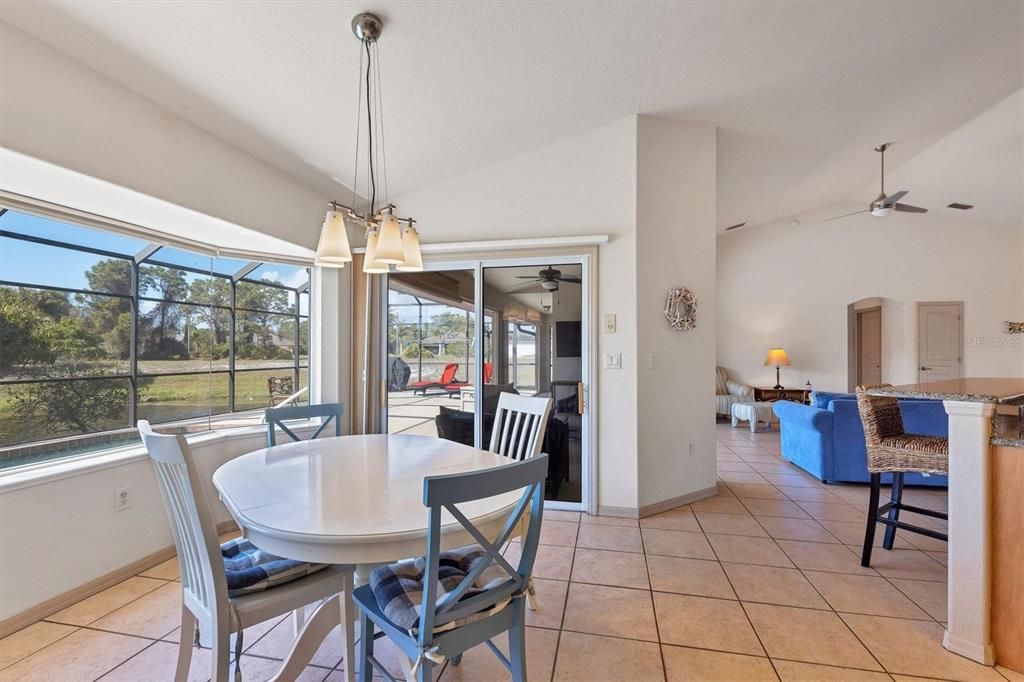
99	330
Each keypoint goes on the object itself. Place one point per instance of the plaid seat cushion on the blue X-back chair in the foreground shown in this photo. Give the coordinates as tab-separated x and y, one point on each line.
399	587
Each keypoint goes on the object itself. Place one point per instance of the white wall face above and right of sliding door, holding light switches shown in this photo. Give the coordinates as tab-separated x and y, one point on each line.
583	186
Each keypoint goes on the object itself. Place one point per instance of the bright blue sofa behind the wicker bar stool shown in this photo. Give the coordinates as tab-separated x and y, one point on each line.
826	439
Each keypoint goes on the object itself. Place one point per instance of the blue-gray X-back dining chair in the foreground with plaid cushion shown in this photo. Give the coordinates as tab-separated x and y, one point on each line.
445	625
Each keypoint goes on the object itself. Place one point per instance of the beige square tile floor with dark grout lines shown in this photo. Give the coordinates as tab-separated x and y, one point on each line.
760	583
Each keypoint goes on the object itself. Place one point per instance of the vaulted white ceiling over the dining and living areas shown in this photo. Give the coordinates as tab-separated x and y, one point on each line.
801	92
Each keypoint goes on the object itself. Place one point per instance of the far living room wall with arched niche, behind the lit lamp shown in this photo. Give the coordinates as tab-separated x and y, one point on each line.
791	287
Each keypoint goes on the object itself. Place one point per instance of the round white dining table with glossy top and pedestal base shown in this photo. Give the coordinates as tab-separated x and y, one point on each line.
351	500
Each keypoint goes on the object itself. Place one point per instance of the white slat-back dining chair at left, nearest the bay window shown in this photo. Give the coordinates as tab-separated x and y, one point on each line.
206	603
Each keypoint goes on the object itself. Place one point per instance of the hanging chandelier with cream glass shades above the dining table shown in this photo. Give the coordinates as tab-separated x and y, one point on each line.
391	239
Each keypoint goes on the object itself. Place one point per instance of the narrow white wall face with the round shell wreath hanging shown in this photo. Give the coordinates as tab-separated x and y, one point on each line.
675	370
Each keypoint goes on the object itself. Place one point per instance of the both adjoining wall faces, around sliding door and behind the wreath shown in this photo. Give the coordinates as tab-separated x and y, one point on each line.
650	185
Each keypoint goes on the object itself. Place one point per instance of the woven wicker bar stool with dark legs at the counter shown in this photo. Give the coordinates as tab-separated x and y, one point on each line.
891	450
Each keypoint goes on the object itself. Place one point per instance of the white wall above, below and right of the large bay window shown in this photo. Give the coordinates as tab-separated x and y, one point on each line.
62	534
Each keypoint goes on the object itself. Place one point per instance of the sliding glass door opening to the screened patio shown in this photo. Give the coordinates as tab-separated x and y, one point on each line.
459	335
